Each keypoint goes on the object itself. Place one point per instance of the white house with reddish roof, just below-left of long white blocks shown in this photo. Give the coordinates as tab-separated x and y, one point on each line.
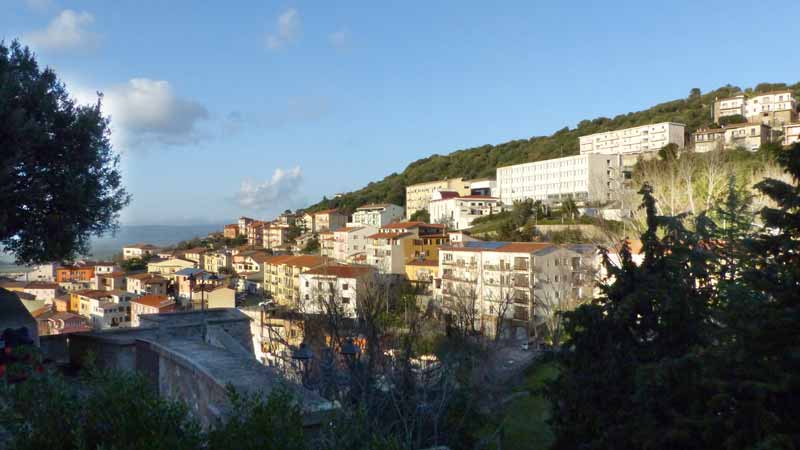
459	211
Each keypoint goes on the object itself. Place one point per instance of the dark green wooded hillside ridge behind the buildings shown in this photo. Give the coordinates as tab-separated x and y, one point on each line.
695	111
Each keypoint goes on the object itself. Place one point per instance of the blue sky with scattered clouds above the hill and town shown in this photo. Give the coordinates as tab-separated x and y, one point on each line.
228	108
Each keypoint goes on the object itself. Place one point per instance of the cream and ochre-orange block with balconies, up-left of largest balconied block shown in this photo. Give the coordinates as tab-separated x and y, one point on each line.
392	246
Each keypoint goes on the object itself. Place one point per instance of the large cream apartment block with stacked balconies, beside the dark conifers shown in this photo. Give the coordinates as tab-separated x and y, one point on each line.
496	286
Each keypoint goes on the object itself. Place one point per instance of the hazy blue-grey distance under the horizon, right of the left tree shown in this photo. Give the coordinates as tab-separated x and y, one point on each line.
107	246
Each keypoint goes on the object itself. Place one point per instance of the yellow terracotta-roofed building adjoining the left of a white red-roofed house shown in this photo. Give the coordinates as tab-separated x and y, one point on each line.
282	276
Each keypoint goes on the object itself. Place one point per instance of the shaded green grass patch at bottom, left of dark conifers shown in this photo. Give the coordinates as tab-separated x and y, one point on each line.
525	419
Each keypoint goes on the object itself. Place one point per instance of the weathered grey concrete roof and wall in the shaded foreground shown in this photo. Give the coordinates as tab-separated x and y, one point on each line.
192	357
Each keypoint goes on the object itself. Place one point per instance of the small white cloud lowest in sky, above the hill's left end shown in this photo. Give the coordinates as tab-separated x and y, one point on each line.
277	193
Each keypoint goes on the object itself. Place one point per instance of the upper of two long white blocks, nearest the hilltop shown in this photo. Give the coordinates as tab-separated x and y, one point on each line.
634	141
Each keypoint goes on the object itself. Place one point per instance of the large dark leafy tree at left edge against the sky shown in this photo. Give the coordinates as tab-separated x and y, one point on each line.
59	176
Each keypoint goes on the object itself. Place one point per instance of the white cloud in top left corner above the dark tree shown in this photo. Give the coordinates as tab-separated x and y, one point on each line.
67	31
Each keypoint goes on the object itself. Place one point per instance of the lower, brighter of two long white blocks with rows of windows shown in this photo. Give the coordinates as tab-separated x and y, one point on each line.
589	177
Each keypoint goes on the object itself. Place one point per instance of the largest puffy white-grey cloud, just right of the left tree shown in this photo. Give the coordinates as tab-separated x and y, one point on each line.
146	111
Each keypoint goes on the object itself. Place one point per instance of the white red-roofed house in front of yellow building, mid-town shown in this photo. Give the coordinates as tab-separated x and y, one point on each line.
334	286
